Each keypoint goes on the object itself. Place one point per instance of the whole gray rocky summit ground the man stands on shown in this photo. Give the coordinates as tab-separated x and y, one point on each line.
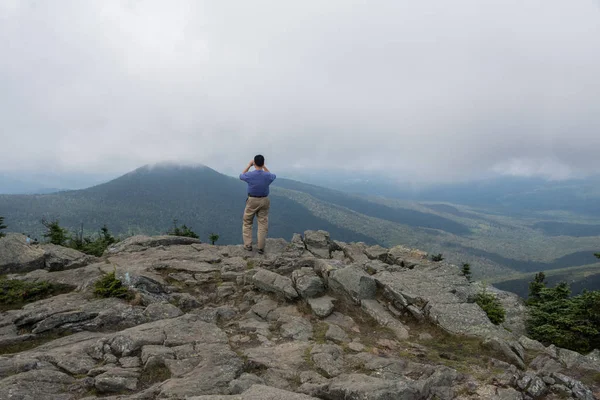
311	319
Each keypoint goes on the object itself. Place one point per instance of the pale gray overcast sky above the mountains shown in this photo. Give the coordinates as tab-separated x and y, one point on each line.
425	90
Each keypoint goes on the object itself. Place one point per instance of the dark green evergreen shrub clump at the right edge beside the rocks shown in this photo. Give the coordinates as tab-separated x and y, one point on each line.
557	318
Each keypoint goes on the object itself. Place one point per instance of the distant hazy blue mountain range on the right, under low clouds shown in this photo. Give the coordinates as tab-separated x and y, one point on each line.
504	194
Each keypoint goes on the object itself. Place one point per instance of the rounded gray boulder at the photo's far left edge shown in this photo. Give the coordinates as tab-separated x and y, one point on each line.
17	256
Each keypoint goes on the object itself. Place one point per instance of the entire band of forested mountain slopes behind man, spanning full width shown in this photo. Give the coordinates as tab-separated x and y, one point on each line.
147	200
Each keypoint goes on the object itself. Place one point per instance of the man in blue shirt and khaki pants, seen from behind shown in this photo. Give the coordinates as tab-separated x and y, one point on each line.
258	202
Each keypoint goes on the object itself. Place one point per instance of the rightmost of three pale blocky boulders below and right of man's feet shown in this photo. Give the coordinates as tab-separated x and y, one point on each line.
354	282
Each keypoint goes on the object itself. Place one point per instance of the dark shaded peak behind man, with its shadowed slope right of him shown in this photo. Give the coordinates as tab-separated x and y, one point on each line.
149	199
